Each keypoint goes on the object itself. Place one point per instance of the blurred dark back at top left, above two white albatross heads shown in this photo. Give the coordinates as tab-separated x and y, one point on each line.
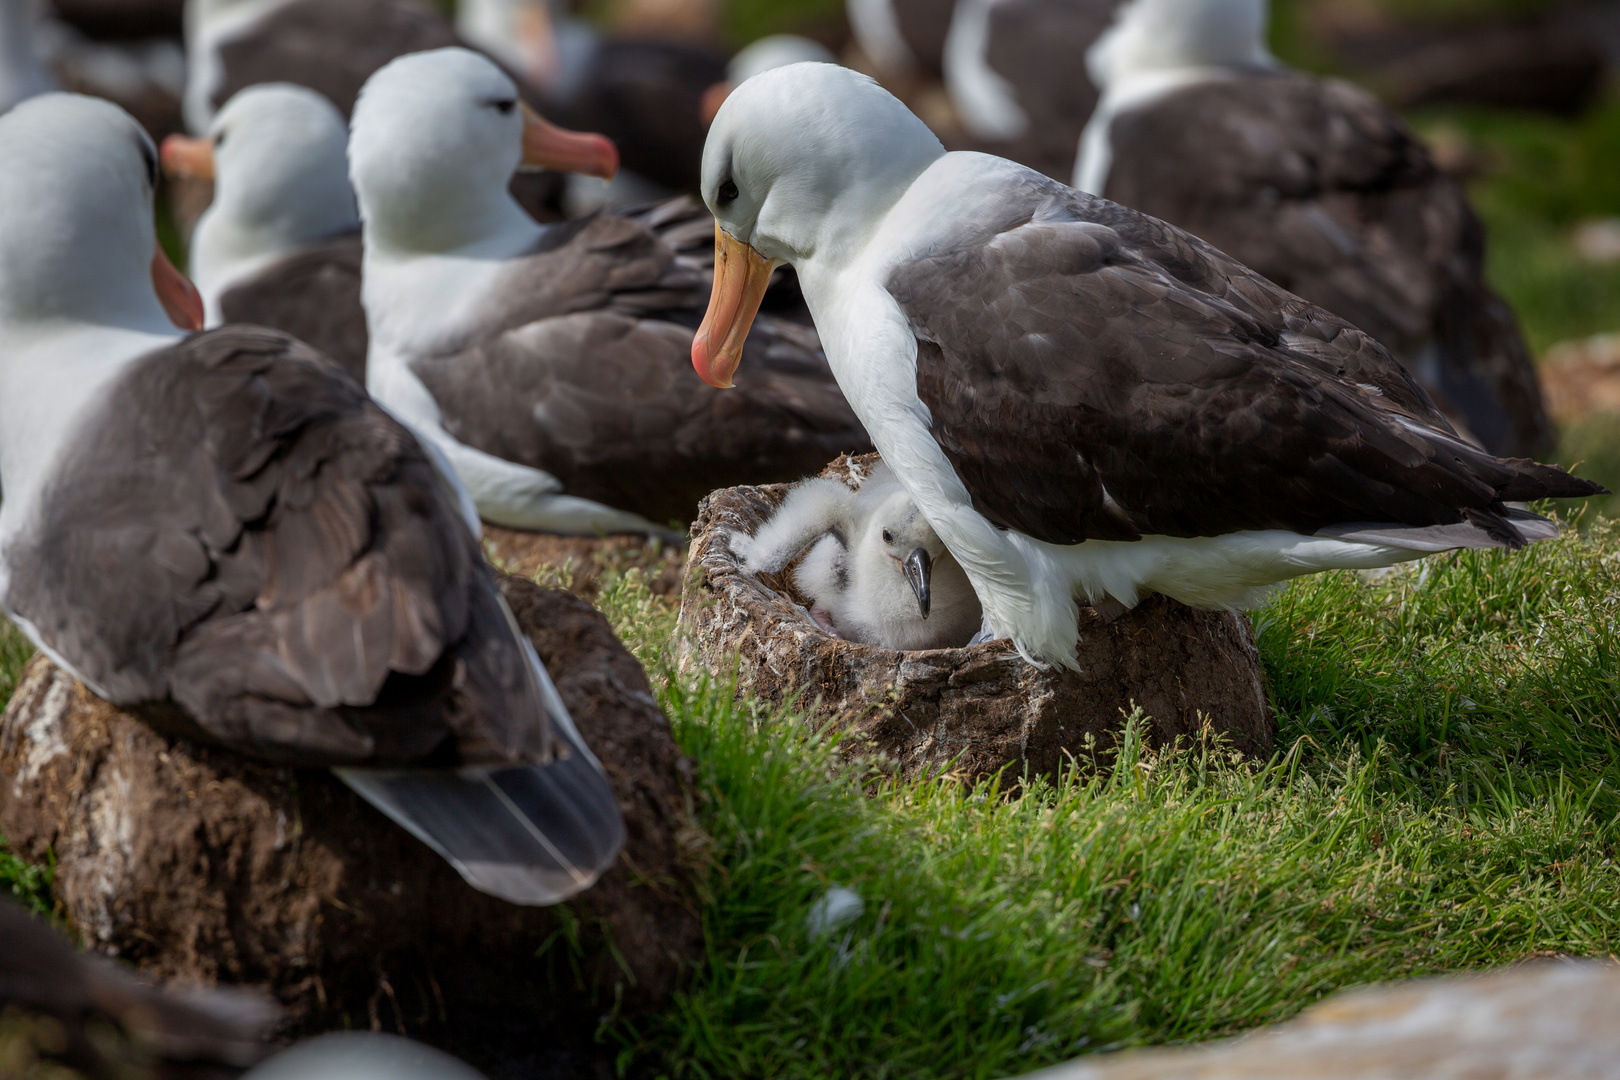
330	46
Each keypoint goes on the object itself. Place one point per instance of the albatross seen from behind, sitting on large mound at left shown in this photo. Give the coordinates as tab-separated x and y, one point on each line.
224	532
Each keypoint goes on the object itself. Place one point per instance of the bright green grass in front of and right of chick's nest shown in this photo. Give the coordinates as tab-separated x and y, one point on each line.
1446	799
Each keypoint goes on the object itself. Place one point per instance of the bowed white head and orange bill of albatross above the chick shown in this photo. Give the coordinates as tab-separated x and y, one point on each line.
801	166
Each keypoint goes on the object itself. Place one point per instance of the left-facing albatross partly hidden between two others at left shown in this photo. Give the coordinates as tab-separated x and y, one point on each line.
279	247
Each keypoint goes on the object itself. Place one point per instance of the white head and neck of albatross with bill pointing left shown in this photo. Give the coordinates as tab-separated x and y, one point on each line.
279	161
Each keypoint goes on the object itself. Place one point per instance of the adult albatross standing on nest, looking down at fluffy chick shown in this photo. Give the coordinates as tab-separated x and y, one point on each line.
1081	399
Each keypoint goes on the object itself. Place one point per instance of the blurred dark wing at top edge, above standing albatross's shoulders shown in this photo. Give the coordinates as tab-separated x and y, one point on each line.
1039	46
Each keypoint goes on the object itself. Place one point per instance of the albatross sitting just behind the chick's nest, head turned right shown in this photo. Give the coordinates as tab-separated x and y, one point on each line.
550	364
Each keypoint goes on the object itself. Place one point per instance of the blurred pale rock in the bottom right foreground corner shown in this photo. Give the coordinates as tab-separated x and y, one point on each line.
1548	1021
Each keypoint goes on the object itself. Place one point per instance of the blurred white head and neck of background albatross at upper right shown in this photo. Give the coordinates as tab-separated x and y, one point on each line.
1156	48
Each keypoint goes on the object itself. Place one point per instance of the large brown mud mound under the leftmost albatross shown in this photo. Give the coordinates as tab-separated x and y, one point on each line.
203	867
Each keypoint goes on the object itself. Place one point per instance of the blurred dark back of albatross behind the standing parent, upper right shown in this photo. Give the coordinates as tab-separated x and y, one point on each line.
1328	193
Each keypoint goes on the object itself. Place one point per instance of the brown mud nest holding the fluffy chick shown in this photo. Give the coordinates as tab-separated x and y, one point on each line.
983	707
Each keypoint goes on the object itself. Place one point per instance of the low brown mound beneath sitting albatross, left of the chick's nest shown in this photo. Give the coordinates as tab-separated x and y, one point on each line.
579	563
